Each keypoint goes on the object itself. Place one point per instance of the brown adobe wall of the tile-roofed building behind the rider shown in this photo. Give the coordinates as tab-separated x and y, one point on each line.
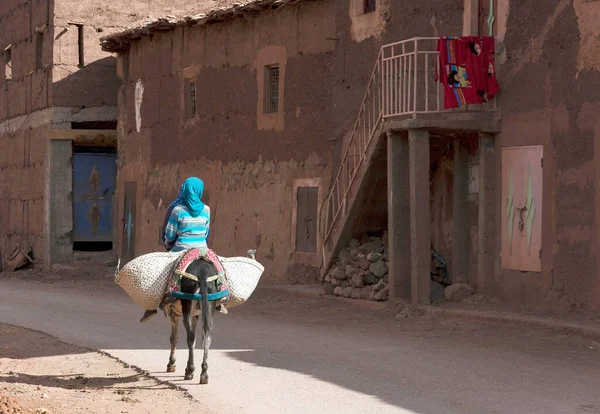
248	162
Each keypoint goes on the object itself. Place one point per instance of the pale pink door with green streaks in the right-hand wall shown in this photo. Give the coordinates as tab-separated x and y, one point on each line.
522	178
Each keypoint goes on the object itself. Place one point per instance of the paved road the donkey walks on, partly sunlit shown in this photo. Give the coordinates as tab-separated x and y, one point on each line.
300	355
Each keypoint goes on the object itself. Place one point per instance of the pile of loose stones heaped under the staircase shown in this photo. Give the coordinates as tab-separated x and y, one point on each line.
361	270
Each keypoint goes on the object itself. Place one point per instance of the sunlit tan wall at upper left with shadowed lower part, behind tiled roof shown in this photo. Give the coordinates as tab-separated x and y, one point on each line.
96	84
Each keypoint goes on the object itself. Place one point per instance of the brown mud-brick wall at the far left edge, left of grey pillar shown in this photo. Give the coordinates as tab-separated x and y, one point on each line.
22	143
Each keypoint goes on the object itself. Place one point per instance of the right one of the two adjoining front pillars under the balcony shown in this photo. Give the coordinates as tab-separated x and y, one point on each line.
420	237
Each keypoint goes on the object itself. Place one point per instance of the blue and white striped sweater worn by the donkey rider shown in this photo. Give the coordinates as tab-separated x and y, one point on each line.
186	231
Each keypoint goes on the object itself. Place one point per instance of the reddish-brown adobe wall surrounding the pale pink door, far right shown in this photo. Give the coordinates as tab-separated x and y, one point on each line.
549	78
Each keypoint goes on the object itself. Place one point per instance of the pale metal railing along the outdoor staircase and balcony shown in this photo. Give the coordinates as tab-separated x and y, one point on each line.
403	83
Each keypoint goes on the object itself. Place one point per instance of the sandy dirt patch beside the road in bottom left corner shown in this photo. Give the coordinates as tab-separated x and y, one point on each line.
42	375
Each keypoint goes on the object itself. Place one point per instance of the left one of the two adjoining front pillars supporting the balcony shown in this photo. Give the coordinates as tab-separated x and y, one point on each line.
398	217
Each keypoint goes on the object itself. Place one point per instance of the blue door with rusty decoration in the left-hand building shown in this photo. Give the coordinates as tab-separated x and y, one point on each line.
94	177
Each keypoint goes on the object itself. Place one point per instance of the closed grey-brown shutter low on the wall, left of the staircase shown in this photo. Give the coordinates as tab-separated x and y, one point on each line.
306	219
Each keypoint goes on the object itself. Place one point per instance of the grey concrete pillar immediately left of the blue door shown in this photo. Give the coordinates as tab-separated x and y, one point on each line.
58	203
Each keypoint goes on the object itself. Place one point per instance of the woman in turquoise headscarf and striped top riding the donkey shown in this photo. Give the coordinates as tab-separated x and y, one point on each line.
186	225
